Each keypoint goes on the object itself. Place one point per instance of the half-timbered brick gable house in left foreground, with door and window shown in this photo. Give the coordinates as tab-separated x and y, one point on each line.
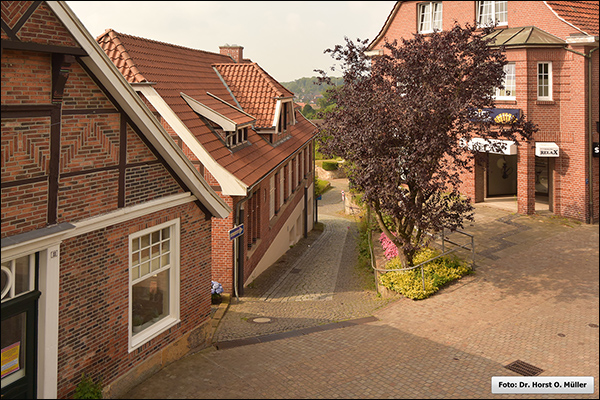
106	225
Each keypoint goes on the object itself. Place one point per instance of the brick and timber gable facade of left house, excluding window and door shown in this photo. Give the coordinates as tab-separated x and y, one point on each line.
71	156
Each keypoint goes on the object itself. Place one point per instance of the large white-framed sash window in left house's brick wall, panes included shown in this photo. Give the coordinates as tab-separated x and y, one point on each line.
154	280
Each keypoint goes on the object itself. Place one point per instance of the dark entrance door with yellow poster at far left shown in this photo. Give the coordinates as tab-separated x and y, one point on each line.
20	297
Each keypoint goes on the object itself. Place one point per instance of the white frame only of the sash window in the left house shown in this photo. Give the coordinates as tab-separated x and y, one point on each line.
173	317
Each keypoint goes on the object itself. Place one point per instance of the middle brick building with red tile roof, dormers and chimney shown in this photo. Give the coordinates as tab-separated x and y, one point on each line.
238	126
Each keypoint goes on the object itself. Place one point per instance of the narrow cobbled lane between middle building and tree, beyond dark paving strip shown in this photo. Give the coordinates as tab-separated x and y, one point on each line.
316	282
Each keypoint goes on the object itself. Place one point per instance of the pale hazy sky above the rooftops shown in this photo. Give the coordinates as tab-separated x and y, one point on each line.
286	38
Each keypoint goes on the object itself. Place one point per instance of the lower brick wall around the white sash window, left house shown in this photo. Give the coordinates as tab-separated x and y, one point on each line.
94	281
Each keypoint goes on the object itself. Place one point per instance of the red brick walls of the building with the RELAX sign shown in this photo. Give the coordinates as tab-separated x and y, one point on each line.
565	120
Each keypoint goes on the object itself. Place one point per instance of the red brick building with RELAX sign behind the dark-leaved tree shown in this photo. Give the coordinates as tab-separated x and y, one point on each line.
551	77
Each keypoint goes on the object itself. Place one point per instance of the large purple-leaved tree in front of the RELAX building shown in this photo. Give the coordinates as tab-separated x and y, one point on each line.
399	122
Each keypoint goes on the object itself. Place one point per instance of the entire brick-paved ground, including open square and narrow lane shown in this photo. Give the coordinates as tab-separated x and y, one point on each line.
533	298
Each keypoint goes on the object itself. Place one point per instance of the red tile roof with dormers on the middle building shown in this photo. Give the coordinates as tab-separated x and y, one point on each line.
175	69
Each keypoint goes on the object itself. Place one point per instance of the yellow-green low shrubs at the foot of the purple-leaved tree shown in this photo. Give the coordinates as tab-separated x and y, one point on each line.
437	273
